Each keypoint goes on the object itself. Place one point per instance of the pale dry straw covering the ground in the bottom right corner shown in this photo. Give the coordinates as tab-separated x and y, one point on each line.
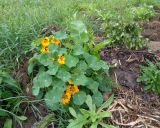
133	110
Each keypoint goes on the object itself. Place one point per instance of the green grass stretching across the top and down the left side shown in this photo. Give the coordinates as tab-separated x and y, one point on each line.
21	21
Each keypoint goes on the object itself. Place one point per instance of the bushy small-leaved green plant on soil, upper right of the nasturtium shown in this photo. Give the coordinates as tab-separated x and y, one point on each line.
124	34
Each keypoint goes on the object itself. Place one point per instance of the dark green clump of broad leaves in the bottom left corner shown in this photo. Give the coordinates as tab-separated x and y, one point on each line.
10	99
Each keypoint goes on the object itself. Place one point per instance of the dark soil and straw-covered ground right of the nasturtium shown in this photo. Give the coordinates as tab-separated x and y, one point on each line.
132	107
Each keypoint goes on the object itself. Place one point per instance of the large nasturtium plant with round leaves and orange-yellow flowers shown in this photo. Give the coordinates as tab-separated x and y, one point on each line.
67	68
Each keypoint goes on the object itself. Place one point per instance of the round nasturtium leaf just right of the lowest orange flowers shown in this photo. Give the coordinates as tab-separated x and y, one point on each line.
79	98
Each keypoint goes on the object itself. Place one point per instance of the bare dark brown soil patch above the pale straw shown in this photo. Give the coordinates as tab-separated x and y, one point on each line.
127	64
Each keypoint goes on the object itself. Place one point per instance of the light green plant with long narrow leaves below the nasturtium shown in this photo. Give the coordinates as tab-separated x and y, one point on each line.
92	117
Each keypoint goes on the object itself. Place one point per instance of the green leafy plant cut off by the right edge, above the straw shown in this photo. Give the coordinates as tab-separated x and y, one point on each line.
150	76
